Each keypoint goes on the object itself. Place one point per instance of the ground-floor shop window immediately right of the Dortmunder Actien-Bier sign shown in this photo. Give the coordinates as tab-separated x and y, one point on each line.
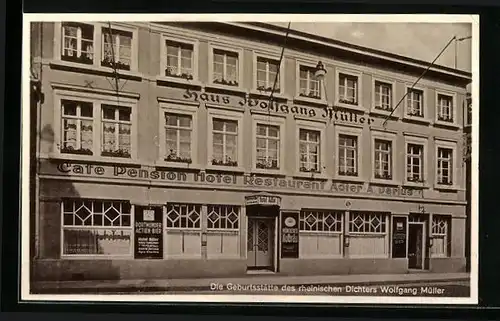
183	235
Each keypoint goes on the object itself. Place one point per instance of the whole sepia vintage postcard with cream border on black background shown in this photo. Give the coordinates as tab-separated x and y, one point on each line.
250	158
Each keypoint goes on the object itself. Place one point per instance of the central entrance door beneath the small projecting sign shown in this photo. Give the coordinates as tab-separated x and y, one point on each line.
260	243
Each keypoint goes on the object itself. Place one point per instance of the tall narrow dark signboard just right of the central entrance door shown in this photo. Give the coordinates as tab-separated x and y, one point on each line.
290	235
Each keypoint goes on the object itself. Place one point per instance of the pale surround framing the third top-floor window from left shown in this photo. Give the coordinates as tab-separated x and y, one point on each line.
163	56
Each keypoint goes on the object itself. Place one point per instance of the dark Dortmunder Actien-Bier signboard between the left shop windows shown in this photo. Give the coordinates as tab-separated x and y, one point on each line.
148	233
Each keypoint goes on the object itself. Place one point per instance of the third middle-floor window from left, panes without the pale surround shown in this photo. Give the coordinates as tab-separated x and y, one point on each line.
178	130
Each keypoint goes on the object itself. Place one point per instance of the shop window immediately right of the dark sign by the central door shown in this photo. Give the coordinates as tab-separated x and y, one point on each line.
320	233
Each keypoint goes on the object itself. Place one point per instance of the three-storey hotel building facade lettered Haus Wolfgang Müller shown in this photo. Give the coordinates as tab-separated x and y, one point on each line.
161	154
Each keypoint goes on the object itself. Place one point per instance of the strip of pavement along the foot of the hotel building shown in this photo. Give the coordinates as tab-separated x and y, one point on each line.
210	284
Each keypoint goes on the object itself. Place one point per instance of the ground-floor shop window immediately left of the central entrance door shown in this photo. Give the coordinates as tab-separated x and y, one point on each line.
222	230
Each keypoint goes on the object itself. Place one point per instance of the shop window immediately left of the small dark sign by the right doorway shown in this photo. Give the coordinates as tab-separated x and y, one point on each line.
368	234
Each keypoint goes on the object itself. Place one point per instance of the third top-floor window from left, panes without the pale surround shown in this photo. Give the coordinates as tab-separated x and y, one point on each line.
180	60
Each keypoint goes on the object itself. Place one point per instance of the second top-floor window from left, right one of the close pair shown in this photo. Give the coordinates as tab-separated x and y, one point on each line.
117	48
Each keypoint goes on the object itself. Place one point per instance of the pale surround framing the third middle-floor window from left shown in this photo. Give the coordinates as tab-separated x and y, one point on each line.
182	109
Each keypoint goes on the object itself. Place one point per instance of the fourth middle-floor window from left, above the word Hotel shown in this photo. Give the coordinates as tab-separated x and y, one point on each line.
225	142
